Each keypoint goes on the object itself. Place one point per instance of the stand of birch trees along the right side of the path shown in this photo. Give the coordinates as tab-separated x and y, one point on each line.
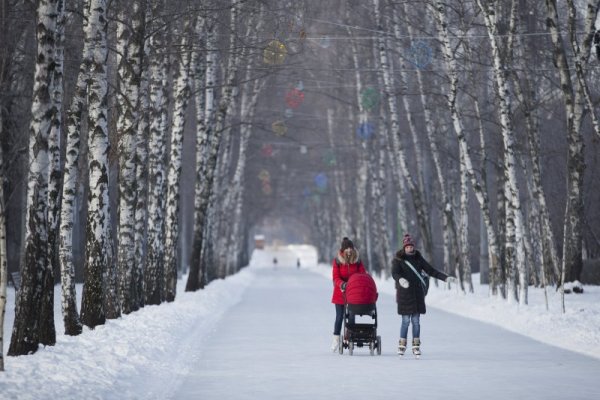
474	97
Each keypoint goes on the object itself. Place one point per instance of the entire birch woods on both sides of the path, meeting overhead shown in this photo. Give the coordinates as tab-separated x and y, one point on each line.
484	116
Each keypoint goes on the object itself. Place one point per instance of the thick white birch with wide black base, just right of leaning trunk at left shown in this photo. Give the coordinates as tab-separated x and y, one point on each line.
99	298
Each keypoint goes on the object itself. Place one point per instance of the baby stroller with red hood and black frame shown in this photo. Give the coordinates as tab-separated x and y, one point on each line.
360	297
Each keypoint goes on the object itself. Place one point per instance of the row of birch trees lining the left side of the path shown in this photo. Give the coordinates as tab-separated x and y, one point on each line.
104	161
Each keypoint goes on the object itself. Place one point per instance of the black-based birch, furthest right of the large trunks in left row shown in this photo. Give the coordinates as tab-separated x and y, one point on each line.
205	110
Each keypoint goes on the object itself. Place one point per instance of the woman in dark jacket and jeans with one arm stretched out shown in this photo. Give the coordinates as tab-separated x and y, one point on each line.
410	293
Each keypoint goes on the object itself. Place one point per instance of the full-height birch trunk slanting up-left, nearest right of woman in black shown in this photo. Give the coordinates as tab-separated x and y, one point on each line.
439	11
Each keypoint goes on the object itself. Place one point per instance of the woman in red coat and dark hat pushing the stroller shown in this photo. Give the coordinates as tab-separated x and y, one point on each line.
345	264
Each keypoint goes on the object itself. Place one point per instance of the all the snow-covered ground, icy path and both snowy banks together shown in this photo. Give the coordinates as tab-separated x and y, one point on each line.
265	333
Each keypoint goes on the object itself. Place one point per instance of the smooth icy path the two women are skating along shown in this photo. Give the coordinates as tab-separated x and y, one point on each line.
274	345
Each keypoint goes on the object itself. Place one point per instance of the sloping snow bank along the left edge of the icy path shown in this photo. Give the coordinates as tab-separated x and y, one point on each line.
117	358
